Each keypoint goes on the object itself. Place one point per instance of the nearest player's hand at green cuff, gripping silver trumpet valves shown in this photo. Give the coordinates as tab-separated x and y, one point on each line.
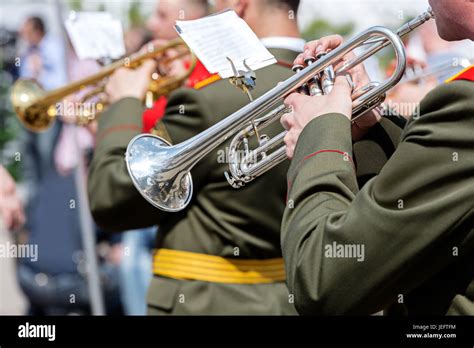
306	108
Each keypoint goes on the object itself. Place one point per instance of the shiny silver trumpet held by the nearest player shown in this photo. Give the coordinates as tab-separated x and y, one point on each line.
161	172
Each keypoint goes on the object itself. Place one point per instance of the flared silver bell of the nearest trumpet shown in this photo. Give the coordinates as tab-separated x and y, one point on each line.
147	158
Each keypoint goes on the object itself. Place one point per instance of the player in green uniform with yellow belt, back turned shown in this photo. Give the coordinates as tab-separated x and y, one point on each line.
222	254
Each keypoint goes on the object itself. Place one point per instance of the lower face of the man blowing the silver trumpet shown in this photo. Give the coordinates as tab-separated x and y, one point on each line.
454	18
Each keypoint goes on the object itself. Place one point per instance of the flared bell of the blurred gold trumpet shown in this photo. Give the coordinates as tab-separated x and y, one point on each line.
24	95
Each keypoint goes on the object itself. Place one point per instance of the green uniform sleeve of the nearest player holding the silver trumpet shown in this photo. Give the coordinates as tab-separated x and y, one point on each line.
354	252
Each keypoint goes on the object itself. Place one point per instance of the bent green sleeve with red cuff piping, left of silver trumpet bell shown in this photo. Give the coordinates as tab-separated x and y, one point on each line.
115	203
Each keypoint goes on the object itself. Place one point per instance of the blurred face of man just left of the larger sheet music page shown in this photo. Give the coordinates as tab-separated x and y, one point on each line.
162	21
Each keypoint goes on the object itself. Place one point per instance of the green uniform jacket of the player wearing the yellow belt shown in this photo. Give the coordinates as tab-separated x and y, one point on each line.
220	220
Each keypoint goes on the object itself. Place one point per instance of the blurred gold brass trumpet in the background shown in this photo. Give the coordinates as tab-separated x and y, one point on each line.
36	108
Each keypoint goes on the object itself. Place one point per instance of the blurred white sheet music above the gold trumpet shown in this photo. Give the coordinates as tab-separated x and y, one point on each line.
95	35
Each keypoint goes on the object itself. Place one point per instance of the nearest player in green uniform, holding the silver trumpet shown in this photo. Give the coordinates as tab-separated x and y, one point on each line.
404	241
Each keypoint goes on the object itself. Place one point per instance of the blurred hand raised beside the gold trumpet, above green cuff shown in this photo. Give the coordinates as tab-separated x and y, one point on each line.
127	82
